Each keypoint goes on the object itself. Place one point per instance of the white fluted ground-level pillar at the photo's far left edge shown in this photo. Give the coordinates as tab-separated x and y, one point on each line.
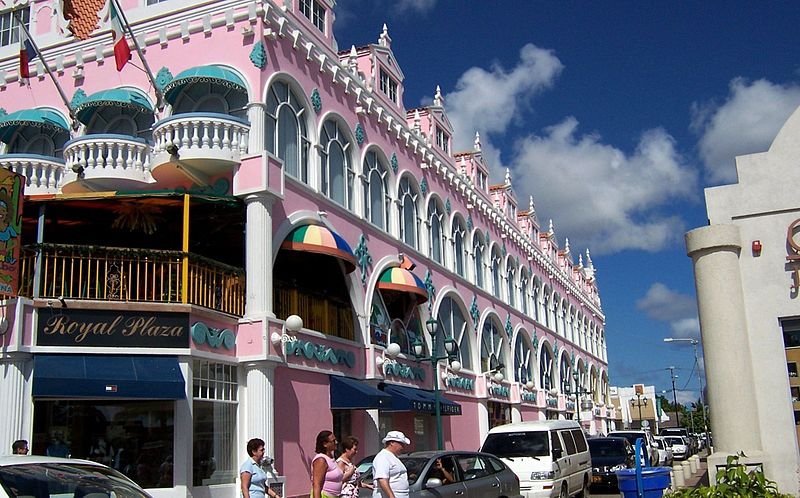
15	402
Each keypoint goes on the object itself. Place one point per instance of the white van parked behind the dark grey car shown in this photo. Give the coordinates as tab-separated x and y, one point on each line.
550	457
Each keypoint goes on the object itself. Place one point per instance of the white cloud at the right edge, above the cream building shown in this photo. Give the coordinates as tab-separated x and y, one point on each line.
745	122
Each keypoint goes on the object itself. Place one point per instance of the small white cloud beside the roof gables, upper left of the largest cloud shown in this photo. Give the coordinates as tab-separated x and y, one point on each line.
488	101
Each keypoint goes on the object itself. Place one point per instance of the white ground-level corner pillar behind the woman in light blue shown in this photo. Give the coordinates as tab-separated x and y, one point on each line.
259	402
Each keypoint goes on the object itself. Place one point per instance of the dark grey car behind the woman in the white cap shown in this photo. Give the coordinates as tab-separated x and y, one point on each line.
466	473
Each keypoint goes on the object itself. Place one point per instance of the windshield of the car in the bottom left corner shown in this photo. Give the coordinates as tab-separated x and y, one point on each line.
66	480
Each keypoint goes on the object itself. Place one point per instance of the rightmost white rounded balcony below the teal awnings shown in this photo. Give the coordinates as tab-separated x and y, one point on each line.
197	145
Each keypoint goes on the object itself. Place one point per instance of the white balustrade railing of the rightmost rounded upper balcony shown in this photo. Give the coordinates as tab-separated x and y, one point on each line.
206	131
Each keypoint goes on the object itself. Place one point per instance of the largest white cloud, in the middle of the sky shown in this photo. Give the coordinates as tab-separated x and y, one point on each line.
599	196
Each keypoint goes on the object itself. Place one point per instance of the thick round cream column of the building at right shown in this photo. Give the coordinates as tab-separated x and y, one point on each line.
715	253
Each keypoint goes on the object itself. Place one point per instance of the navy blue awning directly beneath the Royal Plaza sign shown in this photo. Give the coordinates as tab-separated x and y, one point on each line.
107	376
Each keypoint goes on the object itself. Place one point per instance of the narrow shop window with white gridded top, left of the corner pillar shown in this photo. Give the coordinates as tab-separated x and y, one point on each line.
215	405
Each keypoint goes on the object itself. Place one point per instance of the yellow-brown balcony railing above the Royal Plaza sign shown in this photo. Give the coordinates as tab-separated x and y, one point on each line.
132	275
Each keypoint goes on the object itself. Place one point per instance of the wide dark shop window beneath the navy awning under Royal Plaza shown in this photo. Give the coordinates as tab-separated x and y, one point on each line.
134	437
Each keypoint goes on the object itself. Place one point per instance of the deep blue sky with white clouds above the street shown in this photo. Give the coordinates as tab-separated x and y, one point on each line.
614	116
